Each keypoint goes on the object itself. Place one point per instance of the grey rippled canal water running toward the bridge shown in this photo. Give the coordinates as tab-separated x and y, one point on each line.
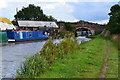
12	55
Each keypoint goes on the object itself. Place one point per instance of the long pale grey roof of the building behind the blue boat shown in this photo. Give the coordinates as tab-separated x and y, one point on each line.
37	24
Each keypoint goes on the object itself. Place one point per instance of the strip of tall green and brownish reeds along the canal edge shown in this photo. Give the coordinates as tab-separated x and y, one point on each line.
36	65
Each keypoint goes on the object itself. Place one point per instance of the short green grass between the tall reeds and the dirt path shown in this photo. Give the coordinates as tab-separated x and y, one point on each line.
85	62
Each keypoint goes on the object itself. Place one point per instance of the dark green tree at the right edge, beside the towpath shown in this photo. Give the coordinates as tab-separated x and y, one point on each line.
114	22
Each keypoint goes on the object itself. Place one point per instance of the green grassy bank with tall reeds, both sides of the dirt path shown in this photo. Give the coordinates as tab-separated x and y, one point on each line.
70	60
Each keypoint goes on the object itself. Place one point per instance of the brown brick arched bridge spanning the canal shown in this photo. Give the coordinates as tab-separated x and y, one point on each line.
94	28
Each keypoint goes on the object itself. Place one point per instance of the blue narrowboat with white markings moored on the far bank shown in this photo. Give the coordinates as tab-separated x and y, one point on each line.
25	35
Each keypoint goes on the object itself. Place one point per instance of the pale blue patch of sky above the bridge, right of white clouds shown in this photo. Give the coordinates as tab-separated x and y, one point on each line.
92	11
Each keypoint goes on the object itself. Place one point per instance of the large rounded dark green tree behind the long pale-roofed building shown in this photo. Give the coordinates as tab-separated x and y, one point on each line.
33	12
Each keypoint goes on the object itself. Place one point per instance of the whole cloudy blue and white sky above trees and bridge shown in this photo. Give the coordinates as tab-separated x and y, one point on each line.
66	10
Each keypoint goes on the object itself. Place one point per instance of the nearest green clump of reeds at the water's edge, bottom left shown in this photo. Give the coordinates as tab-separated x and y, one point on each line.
33	66
